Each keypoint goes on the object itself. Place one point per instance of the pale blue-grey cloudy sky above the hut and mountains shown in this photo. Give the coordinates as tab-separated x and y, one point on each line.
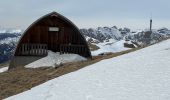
134	14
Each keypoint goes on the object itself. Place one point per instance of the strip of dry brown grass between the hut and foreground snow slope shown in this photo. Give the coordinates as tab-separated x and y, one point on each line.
22	79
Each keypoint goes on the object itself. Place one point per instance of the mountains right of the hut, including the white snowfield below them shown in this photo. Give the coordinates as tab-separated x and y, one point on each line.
112	39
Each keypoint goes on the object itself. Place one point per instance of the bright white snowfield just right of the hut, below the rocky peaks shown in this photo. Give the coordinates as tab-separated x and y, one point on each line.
110	46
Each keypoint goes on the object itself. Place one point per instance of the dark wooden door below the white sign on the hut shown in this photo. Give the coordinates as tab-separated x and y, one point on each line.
54	40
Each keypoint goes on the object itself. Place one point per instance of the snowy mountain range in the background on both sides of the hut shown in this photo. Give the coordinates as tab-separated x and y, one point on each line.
95	36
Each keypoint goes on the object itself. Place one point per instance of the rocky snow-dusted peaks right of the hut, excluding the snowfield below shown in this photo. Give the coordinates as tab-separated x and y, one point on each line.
139	37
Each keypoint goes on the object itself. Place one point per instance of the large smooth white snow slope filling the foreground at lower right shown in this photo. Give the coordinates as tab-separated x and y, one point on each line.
140	75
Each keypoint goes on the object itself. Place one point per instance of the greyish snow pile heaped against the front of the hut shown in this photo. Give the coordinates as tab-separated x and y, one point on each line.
55	58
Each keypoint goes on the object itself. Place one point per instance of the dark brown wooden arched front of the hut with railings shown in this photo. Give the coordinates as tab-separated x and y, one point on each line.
52	32
